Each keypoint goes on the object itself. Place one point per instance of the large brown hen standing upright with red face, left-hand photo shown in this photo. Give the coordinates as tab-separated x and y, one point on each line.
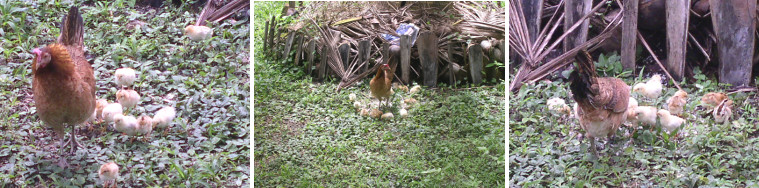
64	82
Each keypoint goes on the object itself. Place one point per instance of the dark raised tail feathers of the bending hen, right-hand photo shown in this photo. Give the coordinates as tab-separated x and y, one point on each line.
582	77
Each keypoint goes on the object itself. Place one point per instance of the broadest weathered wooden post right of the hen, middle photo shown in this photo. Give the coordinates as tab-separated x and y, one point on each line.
427	49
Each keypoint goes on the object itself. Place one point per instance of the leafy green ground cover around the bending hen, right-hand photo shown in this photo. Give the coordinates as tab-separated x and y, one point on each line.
545	149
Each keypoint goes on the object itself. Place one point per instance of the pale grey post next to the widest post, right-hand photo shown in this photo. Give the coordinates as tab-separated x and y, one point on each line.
677	36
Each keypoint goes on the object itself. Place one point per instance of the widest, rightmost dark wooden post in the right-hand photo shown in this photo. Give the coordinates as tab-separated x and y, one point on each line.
734	26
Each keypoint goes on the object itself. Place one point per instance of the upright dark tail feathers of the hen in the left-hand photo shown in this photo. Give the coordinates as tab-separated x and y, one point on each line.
72	29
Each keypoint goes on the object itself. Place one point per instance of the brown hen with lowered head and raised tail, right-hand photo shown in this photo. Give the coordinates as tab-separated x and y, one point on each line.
602	100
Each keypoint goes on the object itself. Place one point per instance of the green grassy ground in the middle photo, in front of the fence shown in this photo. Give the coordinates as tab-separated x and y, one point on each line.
307	134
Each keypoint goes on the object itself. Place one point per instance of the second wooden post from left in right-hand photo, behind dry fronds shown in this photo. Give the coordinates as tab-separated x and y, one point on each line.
574	10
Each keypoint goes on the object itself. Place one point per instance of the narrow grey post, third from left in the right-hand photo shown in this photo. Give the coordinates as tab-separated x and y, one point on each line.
629	37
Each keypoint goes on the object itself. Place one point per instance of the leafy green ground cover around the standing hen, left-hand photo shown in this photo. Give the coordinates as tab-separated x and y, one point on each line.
208	82
